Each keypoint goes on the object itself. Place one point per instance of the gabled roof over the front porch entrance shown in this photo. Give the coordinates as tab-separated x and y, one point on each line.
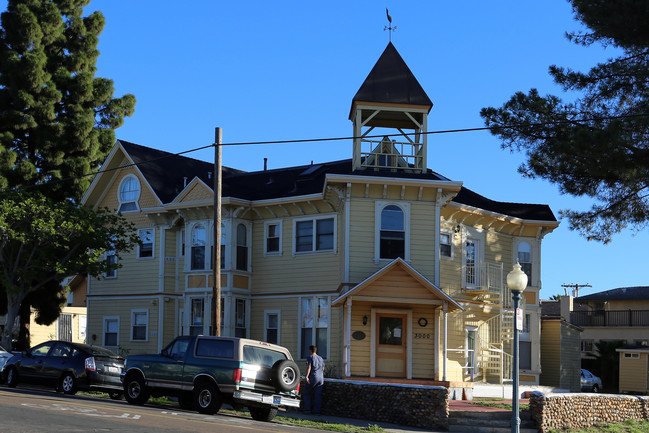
433	292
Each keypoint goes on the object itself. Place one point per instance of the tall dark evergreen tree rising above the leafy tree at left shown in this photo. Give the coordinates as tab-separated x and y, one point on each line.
57	119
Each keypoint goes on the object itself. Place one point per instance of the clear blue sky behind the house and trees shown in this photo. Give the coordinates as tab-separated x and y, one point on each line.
284	70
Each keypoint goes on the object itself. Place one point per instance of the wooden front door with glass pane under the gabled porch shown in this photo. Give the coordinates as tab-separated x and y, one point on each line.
390	342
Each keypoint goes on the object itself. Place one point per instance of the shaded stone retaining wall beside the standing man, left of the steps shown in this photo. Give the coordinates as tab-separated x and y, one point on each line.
411	405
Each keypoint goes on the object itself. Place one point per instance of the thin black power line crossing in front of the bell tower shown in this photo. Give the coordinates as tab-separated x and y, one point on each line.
319	140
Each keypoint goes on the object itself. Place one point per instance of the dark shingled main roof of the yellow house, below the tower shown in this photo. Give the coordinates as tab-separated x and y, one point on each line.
165	172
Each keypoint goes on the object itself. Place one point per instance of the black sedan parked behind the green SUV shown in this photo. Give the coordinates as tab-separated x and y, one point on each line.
68	367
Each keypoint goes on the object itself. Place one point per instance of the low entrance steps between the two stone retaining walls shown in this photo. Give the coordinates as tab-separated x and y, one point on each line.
487	422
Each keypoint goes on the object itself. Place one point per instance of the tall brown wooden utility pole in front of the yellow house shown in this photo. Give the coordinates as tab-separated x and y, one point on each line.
216	257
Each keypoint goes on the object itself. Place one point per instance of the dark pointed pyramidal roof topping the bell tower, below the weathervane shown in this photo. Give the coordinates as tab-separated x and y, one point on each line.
391	80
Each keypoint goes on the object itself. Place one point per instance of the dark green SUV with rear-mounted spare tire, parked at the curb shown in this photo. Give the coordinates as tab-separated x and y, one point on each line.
203	372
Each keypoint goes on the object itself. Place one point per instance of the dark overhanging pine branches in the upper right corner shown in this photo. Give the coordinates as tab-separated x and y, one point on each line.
596	143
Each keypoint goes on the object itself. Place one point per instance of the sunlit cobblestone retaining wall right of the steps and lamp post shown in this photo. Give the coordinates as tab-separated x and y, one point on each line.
580	411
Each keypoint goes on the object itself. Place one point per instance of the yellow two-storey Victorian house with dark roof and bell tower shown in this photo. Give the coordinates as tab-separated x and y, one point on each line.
392	269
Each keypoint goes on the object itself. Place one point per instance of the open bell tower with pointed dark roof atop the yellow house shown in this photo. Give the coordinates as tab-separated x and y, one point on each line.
392	102
